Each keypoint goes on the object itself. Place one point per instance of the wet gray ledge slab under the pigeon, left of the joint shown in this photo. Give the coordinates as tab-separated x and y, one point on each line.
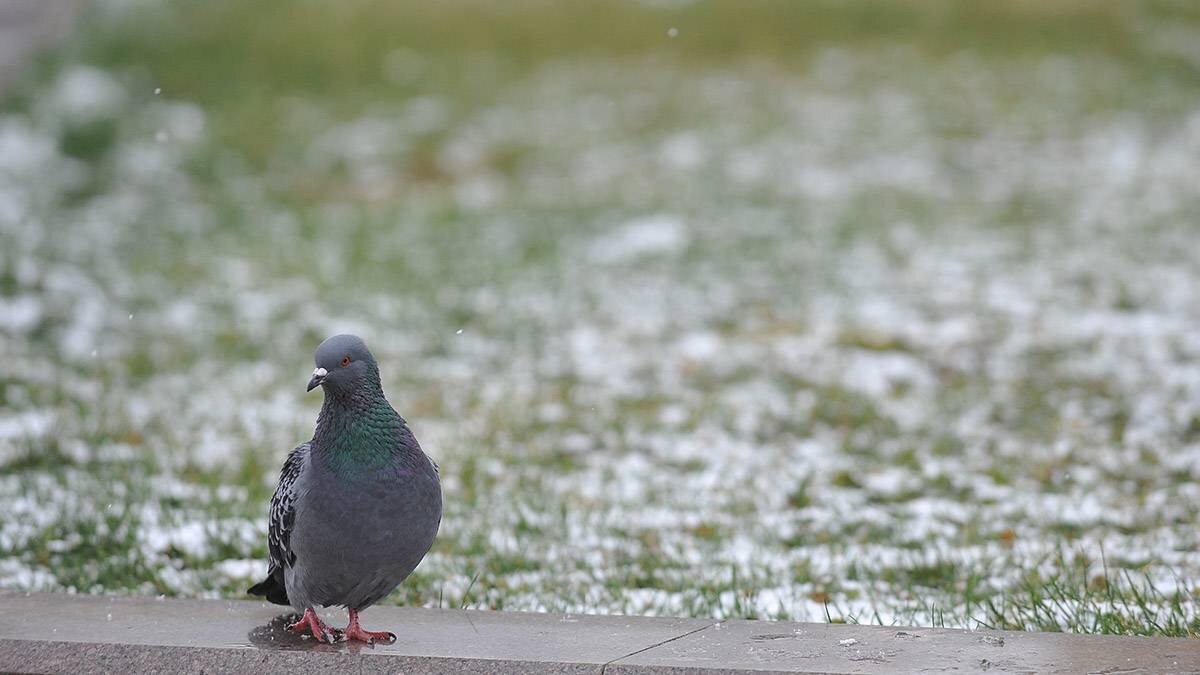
251	636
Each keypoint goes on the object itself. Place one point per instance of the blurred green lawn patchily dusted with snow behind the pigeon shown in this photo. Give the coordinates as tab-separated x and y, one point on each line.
880	312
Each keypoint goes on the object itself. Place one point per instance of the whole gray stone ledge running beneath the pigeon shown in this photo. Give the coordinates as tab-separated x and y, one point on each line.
55	634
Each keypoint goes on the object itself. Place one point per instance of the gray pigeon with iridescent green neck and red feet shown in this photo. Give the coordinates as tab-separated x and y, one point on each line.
358	506
